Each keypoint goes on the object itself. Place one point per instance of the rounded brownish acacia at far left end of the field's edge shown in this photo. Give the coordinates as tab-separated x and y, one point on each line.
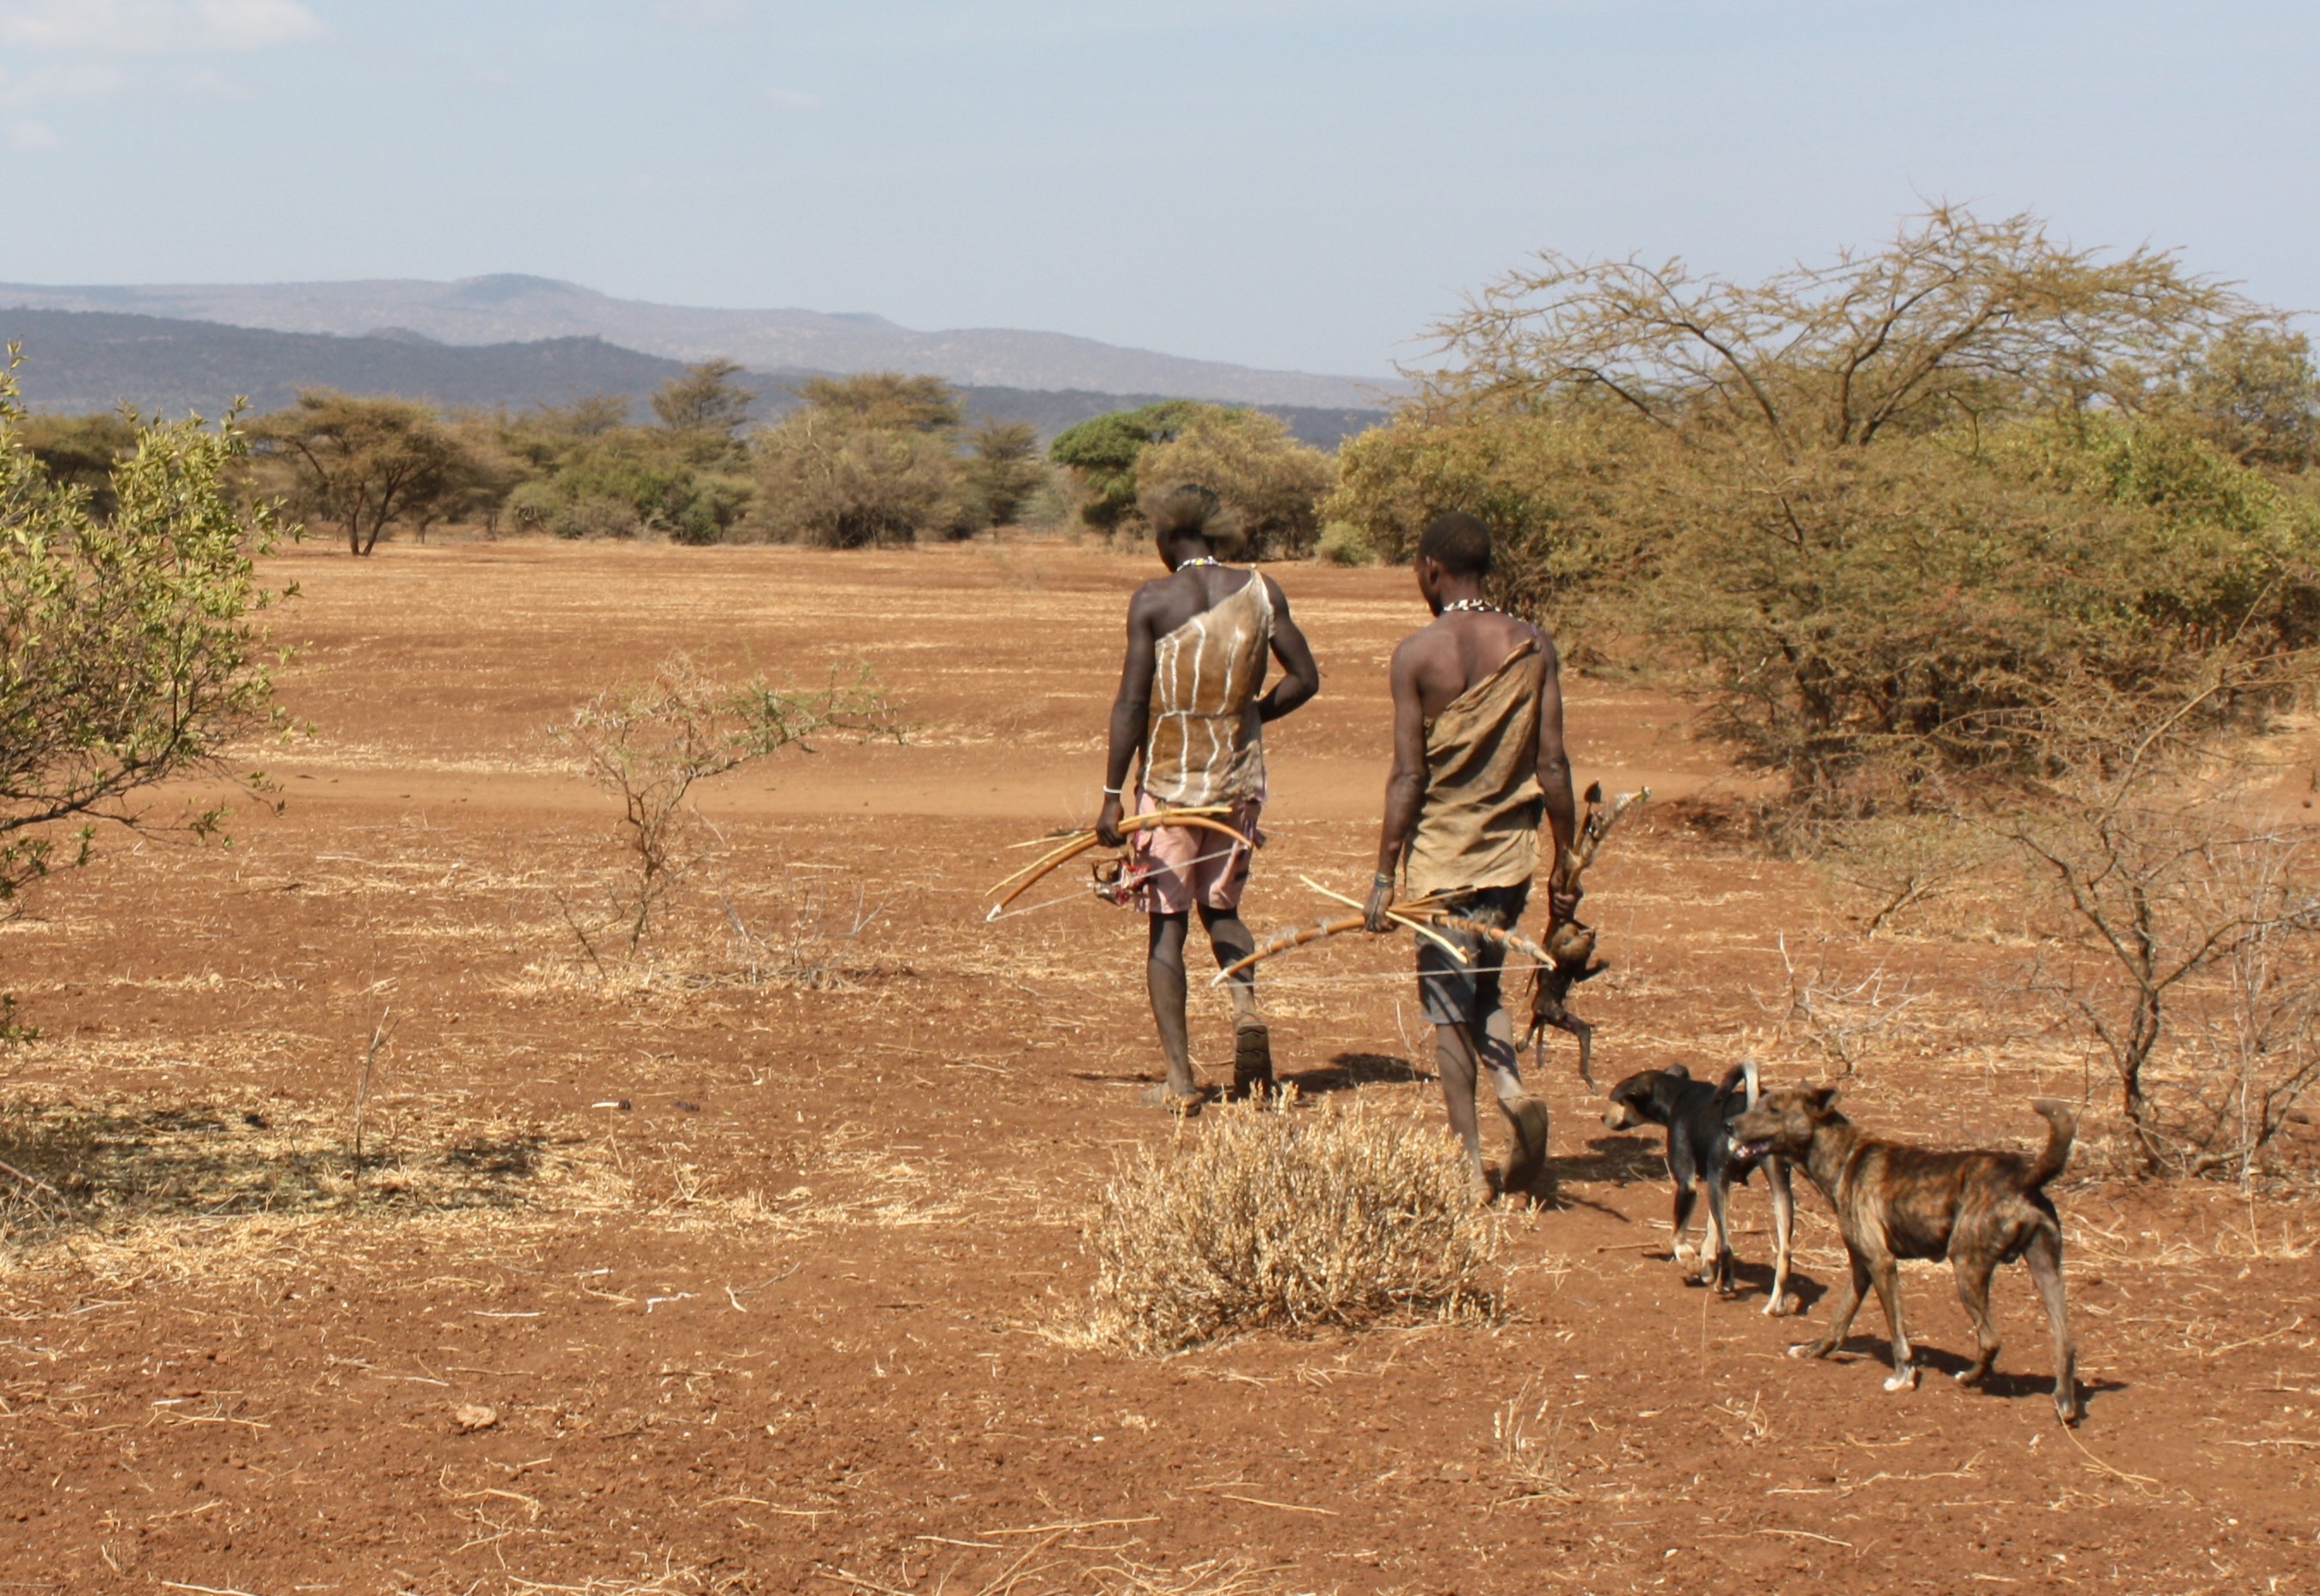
363	465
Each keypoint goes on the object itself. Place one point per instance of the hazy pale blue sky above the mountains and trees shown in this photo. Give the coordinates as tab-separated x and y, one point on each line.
1273	182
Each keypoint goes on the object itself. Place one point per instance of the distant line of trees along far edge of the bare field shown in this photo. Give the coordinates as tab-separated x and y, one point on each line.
864	460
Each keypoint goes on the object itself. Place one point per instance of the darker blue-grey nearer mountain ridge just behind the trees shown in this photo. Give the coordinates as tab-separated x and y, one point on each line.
92	361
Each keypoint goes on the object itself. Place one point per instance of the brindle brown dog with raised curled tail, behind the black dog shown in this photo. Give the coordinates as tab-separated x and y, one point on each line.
1894	1200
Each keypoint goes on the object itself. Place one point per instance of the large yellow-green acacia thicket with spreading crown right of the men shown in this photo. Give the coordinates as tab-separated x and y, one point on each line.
1911	521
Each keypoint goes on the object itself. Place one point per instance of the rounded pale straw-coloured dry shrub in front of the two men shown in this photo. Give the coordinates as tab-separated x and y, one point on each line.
1291	1219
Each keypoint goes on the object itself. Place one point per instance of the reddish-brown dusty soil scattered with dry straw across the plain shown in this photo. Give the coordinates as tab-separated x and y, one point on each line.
755	1265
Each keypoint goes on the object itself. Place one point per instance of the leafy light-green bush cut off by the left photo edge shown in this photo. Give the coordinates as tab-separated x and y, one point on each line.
129	644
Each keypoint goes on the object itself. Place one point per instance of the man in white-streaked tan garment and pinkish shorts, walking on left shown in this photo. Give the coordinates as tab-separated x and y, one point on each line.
1198	646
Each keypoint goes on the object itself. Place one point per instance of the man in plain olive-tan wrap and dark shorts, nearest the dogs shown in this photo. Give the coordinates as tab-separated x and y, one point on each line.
1479	760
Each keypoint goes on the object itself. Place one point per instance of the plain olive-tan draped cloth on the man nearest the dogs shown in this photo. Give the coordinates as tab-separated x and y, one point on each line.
1479	822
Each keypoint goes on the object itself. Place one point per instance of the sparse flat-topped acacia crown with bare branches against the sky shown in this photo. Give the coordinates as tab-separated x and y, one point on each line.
1957	319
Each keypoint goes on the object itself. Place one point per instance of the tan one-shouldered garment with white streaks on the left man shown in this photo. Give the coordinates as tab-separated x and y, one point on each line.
1203	741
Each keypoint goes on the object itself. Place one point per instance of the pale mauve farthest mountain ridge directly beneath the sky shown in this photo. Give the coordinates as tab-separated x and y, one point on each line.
530	310
